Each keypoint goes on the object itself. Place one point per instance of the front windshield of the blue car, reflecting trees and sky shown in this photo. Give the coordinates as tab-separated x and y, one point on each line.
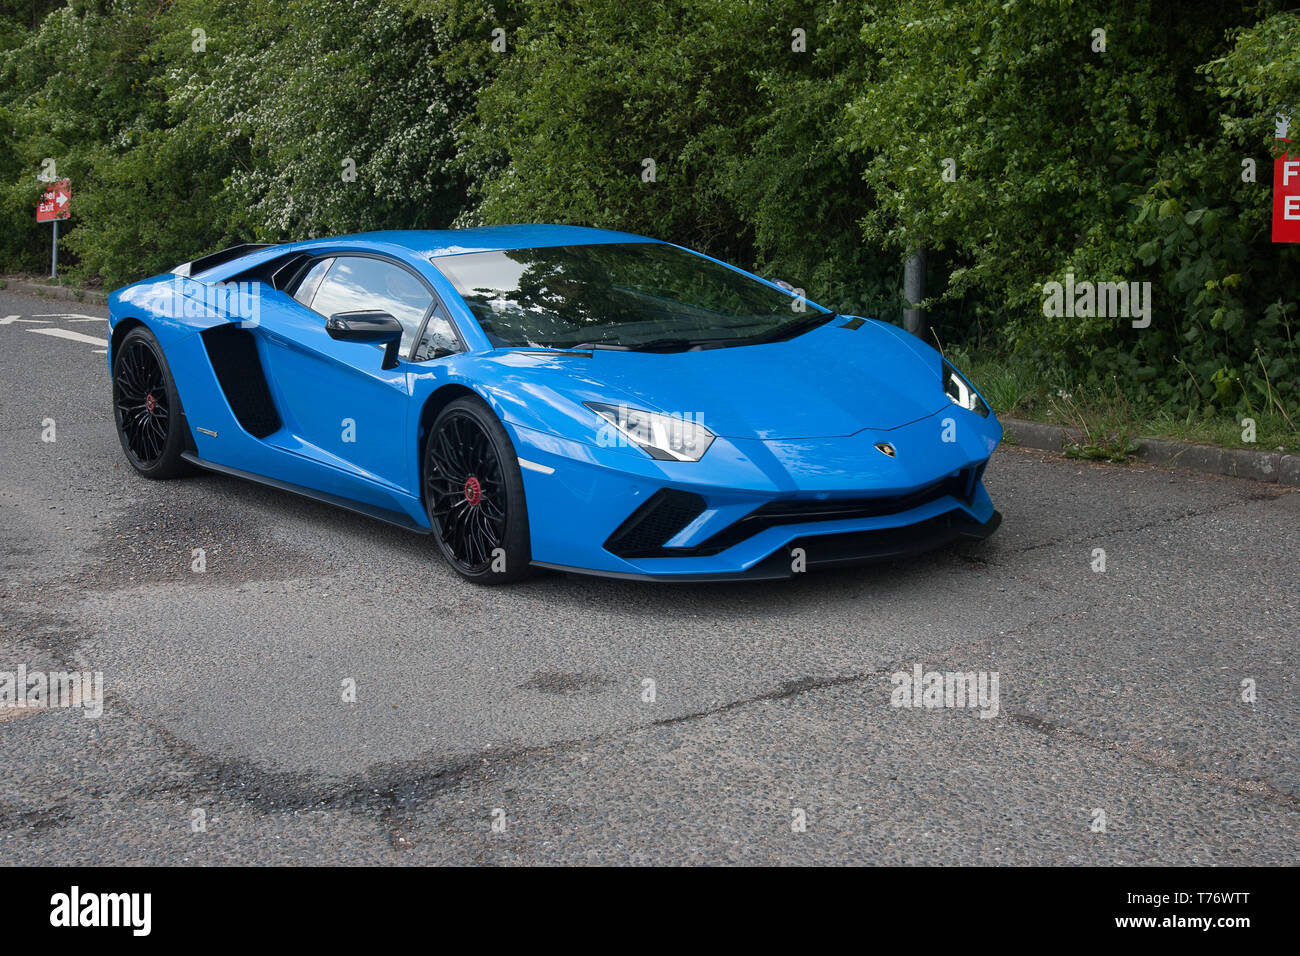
621	296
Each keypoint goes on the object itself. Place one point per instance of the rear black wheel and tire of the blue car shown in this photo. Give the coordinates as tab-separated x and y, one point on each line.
148	409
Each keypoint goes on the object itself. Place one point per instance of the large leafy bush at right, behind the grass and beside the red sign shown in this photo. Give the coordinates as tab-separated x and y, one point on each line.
1117	166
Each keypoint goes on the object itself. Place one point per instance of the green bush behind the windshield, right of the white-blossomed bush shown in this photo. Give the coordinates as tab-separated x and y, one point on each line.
740	124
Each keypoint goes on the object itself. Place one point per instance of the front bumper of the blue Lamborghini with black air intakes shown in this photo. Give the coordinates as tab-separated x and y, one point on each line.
759	509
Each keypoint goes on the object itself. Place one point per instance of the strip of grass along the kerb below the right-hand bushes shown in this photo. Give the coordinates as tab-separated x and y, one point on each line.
1106	418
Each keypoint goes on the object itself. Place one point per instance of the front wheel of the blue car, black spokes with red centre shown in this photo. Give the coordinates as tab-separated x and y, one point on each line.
474	494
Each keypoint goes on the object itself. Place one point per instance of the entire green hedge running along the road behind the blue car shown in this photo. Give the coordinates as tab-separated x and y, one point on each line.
808	141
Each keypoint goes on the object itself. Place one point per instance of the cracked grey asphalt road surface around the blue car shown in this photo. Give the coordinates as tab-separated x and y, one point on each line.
1121	691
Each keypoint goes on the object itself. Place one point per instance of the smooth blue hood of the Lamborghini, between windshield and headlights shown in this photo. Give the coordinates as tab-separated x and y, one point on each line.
830	382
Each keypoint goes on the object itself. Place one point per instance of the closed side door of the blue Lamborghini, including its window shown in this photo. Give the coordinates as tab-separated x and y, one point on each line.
344	408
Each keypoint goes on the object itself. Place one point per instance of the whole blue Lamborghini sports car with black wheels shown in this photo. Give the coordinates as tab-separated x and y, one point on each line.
554	397
